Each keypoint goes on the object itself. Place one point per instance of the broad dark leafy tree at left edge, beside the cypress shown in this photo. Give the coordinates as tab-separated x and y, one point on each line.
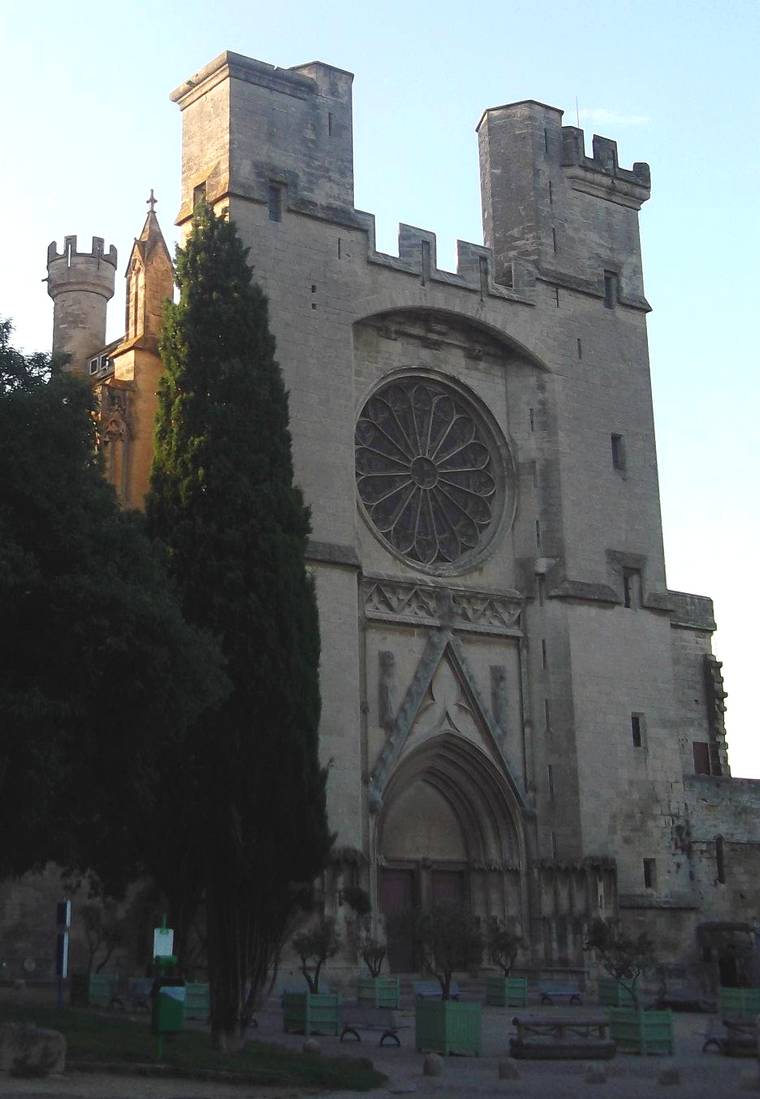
100	676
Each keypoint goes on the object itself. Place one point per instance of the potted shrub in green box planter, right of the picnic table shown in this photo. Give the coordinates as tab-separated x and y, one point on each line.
624	959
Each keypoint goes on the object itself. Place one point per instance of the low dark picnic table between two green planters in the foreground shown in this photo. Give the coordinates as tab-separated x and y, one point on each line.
562	1038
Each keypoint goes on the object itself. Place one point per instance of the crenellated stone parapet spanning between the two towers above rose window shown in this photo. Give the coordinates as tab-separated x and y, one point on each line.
418	256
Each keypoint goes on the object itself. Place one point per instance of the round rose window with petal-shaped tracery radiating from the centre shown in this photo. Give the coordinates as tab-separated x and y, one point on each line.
429	472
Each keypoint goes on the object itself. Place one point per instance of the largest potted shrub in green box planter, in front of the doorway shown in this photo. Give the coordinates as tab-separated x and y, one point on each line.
449	940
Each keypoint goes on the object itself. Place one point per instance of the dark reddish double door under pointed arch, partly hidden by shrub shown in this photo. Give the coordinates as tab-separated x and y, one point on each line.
410	890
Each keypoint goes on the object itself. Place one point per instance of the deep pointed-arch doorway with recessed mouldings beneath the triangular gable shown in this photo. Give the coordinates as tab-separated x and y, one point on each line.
450	830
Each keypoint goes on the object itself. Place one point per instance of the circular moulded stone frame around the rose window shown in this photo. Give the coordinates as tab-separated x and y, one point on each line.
505	471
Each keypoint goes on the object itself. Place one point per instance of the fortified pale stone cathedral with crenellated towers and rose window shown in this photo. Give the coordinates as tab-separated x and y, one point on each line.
518	713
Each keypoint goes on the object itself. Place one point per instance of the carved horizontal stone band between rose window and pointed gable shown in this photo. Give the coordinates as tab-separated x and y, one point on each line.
422	605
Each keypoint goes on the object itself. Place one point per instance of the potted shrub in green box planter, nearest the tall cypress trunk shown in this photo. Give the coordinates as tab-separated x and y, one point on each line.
314	1013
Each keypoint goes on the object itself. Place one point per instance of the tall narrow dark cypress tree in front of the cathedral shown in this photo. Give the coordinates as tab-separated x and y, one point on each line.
225	504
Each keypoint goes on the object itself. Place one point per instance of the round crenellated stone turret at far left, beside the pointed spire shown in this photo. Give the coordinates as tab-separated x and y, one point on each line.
81	285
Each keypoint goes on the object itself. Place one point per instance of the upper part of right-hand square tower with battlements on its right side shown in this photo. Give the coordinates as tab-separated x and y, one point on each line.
574	218
